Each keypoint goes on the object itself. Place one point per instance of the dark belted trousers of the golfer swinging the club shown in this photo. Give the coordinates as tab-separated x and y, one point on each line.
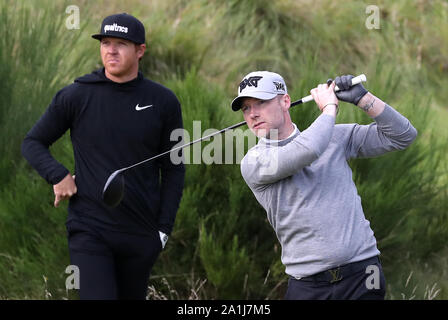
363	280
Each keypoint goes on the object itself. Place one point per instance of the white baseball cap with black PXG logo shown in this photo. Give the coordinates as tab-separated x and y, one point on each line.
262	85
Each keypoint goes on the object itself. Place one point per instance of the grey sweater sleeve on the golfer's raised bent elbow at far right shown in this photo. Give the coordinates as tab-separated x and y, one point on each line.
391	131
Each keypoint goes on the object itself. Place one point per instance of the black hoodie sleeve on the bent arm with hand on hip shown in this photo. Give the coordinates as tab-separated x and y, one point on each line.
49	128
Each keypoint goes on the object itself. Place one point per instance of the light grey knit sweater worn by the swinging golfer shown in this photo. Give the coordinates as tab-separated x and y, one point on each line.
305	185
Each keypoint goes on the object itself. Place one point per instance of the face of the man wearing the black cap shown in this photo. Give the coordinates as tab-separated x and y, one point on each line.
120	56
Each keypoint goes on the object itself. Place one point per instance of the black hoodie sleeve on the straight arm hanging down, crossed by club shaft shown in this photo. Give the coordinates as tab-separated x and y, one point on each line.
172	175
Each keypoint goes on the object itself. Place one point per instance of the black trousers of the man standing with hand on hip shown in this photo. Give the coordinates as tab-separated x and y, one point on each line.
111	265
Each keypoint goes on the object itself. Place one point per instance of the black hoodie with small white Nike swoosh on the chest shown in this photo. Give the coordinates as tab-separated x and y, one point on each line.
113	125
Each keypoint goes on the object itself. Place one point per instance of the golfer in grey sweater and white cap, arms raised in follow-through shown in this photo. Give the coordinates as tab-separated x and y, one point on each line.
304	182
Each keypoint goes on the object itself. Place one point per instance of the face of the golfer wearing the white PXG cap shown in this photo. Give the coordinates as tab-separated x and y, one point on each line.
266	118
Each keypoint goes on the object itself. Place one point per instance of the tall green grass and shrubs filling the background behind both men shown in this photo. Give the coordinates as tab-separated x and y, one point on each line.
222	245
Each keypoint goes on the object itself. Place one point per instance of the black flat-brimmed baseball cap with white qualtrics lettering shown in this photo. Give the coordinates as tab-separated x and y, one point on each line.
122	26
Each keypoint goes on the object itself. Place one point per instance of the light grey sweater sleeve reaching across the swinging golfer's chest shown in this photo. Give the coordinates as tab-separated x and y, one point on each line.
269	163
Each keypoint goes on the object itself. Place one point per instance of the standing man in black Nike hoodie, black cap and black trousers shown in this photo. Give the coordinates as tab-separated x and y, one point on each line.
116	117
